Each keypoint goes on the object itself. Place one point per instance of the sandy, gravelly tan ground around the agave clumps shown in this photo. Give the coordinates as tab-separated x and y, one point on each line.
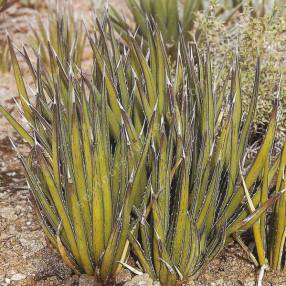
25	256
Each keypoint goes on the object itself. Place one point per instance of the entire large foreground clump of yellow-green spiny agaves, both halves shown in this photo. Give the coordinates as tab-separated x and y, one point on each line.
138	154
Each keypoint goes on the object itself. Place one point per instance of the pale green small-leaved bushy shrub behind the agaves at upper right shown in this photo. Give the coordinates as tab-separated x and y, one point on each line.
262	35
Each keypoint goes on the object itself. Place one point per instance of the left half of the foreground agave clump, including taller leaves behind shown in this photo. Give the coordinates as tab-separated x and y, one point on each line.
87	167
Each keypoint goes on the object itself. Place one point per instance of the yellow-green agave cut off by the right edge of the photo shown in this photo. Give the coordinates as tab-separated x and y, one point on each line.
270	230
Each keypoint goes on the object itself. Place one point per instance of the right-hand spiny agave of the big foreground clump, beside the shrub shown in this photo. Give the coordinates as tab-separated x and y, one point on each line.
195	195
